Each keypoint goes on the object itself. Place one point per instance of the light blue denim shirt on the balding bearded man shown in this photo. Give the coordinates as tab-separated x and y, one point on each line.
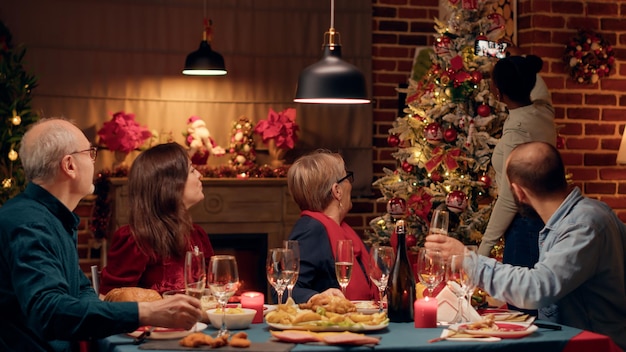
579	279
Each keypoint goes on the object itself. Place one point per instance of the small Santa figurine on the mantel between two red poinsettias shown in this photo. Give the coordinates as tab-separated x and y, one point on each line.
200	143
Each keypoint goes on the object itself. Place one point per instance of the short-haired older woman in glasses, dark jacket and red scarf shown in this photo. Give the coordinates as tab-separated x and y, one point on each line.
321	187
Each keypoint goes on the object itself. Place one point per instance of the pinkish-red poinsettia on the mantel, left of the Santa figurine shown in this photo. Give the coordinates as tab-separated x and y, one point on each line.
123	133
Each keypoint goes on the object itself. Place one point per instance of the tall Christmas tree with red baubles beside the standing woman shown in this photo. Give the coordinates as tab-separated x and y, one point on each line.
446	139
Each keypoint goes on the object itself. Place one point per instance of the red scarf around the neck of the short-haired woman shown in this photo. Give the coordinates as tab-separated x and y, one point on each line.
359	287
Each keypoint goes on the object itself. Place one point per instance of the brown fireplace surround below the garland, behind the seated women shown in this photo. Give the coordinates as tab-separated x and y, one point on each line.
230	206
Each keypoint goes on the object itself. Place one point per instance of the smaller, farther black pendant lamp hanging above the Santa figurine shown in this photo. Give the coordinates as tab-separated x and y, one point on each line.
204	61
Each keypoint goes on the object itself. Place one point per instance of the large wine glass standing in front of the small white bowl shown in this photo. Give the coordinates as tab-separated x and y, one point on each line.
223	282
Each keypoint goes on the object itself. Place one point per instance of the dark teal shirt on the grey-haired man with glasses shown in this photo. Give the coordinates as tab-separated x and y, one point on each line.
45	299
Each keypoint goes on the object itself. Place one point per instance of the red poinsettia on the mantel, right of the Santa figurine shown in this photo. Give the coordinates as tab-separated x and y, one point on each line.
281	127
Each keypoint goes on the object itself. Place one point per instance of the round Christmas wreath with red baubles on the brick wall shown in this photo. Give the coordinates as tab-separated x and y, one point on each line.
589	57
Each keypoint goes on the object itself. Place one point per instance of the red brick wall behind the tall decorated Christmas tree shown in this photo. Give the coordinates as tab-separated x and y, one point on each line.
593	117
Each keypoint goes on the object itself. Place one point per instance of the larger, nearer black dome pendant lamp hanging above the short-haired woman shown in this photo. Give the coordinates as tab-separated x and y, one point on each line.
331	80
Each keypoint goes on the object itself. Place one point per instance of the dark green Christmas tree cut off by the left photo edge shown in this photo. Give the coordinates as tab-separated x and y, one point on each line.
15	99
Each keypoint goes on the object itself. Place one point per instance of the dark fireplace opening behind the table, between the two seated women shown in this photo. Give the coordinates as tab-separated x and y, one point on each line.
250	250
